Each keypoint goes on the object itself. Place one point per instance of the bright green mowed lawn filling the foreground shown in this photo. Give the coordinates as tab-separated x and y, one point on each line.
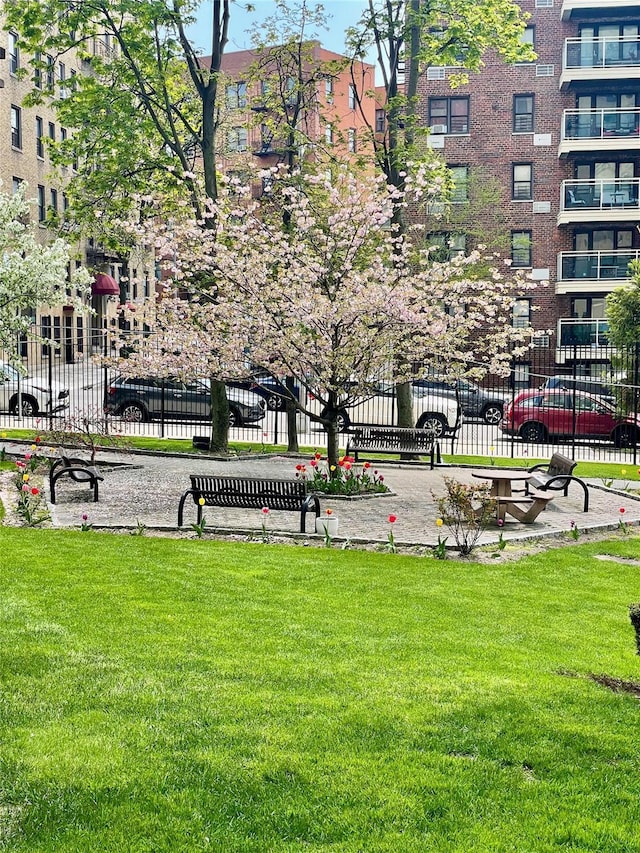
183	695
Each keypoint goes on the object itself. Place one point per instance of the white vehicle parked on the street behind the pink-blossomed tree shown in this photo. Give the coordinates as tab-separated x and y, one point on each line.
438	413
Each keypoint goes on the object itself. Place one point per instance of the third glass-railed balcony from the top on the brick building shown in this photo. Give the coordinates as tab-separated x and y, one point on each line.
587	201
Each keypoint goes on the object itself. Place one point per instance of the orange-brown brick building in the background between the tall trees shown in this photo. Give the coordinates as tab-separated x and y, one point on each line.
263	90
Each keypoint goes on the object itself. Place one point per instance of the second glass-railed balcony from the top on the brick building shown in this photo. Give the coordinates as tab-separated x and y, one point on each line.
600	130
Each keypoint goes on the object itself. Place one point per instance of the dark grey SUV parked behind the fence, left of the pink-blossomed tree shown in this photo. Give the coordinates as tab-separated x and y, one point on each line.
139	400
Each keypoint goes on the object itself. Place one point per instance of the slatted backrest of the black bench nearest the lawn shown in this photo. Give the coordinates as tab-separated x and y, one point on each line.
249	492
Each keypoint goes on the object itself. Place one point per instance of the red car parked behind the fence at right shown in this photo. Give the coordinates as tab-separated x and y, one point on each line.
538	415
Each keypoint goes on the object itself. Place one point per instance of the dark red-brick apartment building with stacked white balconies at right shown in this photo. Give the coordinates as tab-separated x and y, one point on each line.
562	137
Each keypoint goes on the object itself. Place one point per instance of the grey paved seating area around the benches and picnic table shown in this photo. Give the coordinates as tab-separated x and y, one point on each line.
147	488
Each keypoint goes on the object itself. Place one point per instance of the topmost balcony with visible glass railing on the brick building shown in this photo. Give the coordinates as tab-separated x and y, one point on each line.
600	60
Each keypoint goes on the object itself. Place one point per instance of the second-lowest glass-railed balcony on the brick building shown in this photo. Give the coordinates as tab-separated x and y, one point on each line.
594	272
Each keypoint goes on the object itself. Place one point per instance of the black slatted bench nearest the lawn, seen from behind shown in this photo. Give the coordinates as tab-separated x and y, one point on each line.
250	493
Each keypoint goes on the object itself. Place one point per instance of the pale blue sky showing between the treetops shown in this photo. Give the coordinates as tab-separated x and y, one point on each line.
340	15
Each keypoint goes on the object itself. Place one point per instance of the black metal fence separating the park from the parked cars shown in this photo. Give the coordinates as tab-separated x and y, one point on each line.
584	403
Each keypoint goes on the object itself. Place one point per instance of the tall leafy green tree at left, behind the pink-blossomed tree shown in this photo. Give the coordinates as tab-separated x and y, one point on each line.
143	114
